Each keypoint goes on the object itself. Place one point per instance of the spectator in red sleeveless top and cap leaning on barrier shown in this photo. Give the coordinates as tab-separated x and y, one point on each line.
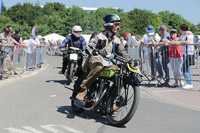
176	58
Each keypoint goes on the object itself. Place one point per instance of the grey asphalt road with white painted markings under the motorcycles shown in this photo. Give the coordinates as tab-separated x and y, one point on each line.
40	104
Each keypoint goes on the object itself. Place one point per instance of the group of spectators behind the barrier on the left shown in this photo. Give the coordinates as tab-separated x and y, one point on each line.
10	39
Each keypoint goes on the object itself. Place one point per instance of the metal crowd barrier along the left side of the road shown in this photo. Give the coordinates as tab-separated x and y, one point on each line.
19	59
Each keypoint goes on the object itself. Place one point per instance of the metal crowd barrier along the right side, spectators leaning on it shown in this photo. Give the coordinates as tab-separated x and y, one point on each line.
156	59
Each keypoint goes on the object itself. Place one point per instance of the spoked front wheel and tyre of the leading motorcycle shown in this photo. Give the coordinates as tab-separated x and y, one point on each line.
120	109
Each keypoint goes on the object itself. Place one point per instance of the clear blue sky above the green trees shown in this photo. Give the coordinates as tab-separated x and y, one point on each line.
188	9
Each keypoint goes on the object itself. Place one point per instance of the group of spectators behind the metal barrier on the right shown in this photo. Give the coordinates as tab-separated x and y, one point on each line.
166	52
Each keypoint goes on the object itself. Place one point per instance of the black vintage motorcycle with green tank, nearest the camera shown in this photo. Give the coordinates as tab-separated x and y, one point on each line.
114	94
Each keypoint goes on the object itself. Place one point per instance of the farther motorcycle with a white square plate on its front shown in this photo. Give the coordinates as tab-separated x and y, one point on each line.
72	64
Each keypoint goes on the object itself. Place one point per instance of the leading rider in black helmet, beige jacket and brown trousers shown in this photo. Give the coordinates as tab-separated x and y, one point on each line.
101	47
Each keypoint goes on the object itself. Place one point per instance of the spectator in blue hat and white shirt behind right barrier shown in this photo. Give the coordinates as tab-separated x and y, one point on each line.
149	52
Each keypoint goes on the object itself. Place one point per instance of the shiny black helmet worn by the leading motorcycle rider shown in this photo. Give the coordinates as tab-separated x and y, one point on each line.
109	20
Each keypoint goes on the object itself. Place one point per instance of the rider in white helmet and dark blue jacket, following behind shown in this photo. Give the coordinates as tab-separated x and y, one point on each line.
73	40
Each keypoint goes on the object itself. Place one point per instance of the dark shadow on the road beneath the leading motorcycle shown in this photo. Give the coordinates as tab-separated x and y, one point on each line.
85	114
